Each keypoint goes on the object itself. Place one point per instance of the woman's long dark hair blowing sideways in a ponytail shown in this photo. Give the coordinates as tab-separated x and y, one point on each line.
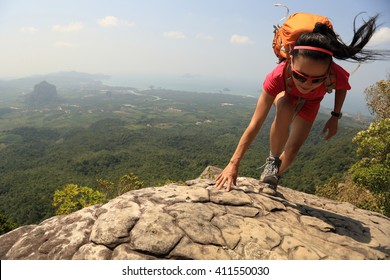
324	37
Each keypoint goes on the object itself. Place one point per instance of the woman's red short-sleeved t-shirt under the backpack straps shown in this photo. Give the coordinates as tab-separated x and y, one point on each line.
274	83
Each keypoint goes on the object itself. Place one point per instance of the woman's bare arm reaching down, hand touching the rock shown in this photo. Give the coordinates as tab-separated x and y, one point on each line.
229	174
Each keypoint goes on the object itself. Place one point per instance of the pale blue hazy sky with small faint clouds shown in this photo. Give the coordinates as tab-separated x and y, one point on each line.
180	44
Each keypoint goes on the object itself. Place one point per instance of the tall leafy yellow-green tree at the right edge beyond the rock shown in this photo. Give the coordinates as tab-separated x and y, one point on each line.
373	170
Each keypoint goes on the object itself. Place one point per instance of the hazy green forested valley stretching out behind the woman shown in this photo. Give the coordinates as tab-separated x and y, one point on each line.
157	134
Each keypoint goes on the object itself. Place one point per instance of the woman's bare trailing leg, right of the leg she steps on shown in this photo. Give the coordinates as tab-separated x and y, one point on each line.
299	132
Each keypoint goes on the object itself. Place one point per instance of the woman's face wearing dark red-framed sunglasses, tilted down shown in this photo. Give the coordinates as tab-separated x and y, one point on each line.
308	74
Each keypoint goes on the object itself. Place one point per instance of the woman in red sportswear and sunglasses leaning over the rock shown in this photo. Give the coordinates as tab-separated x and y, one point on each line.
297	102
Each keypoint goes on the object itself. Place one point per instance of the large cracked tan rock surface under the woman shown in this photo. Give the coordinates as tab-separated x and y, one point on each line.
196	221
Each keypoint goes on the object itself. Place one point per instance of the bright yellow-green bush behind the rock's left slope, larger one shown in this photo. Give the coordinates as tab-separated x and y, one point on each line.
73	197
